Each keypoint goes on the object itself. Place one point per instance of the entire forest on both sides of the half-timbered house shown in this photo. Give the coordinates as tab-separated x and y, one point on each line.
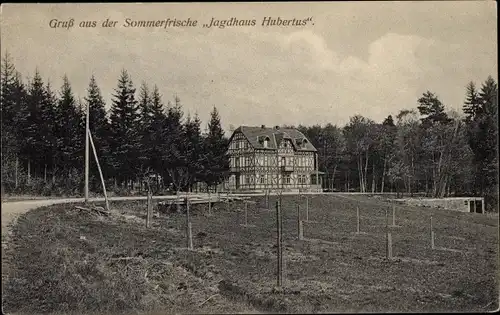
425	150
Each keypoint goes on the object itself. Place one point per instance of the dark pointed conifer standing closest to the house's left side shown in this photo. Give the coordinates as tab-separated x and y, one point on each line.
217	159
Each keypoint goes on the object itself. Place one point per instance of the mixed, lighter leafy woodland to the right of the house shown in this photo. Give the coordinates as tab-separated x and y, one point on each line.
425	151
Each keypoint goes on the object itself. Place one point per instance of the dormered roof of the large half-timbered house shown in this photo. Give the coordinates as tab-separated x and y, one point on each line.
257	135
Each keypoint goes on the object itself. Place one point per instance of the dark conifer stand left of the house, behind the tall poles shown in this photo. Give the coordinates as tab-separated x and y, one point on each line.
140	140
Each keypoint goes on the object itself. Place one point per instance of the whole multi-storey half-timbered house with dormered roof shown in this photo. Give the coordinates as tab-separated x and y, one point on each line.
272	159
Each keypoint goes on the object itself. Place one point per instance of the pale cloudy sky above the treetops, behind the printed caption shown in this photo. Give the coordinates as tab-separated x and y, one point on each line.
367	58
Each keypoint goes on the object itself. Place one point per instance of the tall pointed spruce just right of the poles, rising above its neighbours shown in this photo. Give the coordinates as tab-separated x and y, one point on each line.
125	138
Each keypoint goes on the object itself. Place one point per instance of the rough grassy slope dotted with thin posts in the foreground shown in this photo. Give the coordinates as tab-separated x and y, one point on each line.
65	260
